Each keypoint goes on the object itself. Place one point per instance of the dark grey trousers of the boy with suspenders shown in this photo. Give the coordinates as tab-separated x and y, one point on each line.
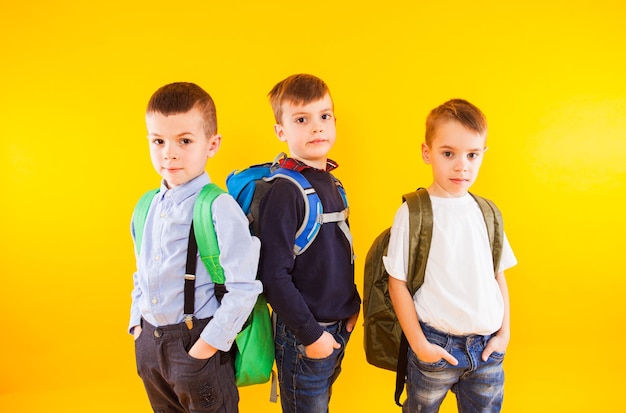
178	383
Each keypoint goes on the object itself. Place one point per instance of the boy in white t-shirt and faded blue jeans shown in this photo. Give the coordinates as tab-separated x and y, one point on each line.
457	323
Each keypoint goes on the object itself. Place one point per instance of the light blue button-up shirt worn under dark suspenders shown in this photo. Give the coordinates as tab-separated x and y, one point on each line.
159	280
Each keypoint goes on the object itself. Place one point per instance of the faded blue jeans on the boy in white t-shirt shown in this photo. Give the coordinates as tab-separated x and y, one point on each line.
477	384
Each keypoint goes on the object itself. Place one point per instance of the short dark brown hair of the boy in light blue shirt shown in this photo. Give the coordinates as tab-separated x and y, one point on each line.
181	97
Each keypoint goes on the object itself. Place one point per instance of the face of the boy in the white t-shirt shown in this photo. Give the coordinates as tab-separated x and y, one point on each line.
455	155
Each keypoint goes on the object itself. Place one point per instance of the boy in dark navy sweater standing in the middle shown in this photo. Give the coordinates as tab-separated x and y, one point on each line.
313	294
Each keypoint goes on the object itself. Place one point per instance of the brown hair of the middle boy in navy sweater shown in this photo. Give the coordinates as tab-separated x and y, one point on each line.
299	89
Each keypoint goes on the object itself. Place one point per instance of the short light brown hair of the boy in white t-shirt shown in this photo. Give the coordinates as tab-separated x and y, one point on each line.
458	110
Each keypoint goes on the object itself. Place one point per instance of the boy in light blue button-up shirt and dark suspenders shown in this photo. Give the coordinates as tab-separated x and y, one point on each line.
188	368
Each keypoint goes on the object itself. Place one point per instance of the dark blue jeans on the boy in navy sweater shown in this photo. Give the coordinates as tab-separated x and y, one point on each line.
305	383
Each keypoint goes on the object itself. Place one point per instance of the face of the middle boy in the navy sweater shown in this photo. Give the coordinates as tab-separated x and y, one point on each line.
309	130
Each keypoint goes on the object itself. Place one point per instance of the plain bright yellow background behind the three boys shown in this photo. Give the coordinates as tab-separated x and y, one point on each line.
75	79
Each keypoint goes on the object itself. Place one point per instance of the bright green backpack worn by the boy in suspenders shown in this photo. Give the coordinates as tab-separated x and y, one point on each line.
254	349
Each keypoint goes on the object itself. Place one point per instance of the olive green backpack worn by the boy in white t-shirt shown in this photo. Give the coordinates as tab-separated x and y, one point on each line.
385	344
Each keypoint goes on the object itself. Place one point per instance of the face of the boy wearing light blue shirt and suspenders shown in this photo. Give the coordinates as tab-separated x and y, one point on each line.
179	147
